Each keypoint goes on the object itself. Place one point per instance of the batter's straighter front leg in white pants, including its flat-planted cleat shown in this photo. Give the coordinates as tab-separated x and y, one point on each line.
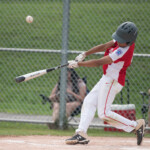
87	114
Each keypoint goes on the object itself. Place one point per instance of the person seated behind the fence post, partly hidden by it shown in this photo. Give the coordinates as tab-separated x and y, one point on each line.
75	93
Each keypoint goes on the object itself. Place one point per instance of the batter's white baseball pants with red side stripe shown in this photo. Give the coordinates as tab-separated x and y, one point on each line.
101	98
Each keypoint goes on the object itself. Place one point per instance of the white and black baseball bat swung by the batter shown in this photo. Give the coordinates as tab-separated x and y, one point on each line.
36	74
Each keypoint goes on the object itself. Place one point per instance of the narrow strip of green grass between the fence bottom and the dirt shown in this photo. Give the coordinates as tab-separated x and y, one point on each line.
18	129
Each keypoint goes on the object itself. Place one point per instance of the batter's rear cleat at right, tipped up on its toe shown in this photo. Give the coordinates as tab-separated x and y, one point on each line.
140	130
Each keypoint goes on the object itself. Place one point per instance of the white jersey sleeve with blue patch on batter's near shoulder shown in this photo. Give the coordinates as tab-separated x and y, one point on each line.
118	53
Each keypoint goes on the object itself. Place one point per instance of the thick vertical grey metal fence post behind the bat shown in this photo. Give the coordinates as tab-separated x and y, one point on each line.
65	31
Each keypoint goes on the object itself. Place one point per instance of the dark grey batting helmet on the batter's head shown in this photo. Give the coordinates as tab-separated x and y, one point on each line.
126	33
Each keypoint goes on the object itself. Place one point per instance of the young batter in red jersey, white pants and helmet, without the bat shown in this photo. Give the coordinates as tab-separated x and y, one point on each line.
117	58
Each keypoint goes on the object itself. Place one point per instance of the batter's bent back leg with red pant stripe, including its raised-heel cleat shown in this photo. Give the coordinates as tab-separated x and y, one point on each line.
105	99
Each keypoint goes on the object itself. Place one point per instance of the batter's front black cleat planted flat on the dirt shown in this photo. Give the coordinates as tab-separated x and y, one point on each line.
77	139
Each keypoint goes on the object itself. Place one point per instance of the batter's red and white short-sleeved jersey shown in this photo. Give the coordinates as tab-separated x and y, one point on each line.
122	57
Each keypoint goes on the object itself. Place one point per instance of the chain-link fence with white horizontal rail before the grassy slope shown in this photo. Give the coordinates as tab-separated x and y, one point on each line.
30	47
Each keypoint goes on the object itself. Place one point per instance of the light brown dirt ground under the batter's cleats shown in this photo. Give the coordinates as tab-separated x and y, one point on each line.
58	143
